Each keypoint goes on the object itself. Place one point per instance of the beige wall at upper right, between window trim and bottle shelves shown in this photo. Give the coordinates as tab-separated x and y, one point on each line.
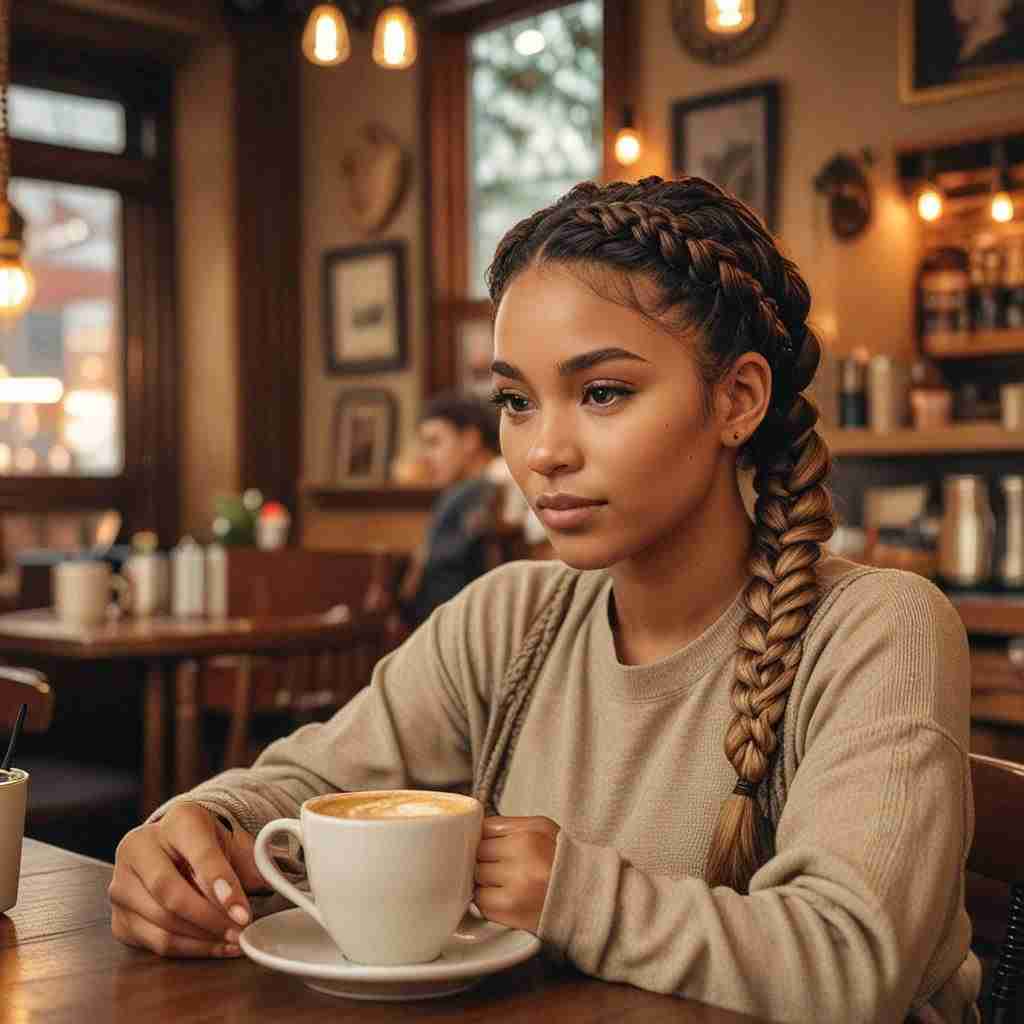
838	66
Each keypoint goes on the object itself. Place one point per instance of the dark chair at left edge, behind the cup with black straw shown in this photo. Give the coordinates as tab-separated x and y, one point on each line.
80	805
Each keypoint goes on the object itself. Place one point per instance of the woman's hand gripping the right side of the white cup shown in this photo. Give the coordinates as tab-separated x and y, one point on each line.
514	869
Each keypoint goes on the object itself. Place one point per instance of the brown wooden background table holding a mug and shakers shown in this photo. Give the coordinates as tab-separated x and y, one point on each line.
162	645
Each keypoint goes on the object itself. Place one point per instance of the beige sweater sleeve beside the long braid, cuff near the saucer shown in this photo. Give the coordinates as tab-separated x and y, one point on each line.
845	923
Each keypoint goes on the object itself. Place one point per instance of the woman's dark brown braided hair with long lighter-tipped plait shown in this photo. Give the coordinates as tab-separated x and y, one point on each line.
720	275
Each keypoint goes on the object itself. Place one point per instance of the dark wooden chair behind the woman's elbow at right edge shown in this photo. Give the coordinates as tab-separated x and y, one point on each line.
998	854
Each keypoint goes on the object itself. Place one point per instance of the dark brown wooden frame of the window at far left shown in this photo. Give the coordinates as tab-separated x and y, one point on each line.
147	491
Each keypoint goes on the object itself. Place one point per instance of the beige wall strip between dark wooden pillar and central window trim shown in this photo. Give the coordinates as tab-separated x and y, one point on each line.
336	104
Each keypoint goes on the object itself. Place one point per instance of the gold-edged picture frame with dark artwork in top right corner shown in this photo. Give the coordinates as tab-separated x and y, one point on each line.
948	50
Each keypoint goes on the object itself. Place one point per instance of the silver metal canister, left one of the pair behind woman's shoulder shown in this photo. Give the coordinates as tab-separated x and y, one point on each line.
967	533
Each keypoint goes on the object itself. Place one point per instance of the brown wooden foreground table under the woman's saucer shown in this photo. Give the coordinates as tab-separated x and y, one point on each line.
60	963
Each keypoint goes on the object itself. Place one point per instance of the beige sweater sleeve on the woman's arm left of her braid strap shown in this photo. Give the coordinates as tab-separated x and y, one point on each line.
419	724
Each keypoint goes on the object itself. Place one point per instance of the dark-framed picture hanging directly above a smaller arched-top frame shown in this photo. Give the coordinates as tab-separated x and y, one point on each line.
365	309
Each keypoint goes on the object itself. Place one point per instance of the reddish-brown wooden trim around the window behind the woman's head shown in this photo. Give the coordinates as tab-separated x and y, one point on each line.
444	116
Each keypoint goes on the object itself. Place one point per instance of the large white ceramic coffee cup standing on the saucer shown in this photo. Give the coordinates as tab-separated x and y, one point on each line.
388	890
